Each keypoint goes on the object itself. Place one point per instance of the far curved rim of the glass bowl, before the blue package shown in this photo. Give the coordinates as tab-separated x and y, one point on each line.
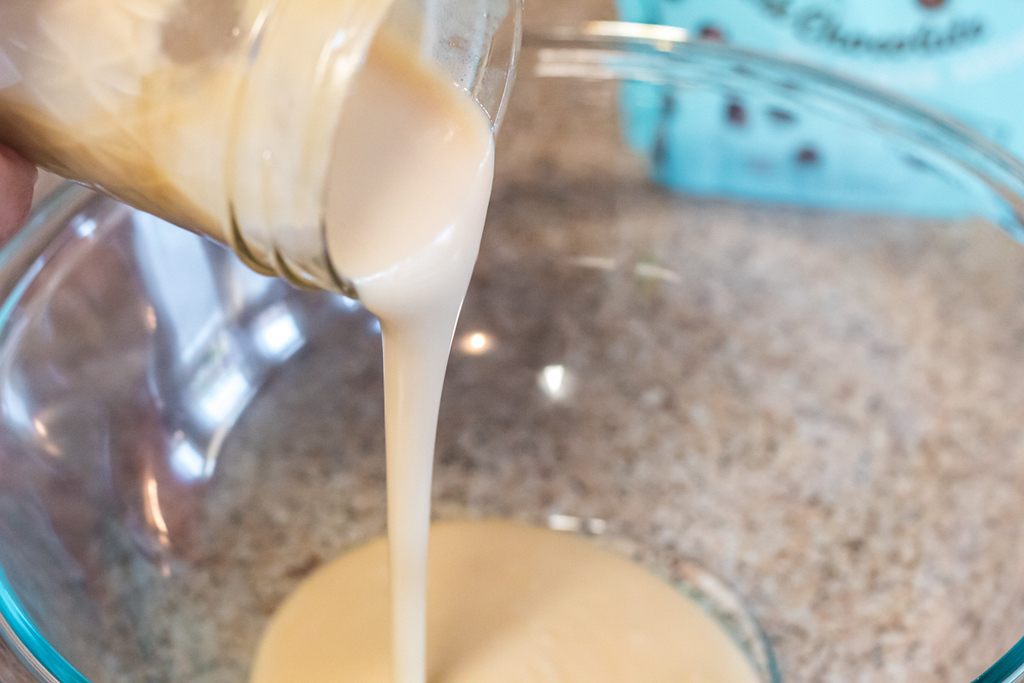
618	51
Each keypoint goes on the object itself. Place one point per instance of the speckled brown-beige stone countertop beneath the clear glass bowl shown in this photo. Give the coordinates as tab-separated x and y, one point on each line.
821	409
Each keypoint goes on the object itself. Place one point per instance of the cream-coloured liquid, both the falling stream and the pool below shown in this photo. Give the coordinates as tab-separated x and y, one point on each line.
406	203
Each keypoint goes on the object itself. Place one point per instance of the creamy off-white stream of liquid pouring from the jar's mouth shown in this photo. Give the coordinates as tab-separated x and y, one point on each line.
406	203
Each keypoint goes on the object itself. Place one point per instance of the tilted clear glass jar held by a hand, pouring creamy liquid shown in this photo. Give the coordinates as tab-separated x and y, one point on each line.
219	115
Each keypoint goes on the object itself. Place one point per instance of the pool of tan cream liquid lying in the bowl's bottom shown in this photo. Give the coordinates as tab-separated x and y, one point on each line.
506	604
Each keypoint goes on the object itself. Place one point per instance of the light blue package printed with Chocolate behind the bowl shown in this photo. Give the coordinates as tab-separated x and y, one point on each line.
964	59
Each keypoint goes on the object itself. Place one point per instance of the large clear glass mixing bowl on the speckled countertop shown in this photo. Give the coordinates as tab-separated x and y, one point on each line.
806	418
